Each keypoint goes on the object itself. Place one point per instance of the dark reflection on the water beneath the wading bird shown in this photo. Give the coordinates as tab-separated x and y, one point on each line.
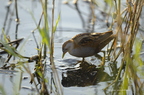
87	75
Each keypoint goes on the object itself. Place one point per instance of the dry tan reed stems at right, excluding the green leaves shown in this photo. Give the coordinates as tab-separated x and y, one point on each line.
127	28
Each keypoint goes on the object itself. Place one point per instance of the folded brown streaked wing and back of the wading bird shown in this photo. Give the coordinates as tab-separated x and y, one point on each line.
90	39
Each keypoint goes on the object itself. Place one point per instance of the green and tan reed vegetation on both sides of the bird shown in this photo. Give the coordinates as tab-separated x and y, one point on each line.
123	20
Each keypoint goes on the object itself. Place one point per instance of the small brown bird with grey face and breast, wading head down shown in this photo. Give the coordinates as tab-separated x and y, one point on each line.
87	44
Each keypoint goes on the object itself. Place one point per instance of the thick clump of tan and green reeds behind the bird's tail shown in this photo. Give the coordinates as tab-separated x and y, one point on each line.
127	26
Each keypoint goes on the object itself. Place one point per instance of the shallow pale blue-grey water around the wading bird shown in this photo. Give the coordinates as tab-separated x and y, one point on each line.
75	78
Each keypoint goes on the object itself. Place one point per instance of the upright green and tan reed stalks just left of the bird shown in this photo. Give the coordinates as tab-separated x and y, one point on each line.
47	36
